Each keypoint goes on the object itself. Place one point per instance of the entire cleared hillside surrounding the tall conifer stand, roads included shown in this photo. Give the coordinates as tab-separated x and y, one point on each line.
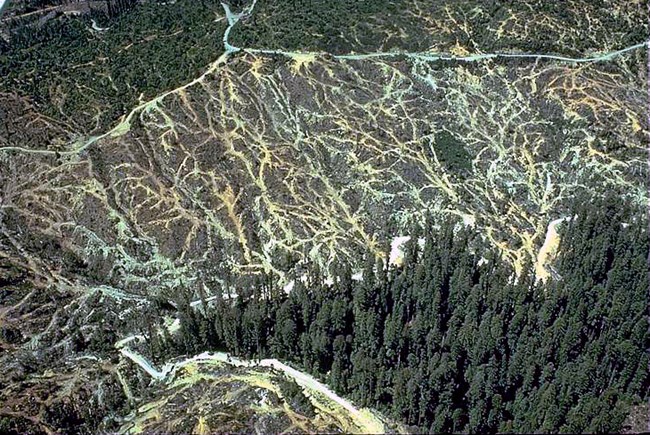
190	150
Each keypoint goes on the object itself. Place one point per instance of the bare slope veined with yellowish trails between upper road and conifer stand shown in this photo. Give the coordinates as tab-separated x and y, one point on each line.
267	161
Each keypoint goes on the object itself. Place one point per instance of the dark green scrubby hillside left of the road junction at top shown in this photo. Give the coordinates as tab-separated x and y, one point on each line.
89	78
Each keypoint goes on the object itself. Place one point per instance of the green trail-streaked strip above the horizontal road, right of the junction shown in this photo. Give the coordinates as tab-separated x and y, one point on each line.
572	27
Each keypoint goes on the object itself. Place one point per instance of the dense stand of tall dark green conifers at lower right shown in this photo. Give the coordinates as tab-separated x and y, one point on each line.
450	342
